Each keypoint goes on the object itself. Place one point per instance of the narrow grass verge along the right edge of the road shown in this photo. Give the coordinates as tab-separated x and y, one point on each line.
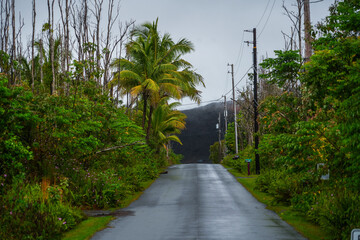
294	218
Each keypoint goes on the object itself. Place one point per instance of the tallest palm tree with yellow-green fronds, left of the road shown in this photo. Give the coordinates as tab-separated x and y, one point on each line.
155	69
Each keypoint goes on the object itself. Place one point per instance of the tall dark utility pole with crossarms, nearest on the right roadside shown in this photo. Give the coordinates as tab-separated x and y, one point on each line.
256	124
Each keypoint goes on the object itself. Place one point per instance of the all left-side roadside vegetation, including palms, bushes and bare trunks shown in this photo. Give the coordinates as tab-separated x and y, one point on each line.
67	141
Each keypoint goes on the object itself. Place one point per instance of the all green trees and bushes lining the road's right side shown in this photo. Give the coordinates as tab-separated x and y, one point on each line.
309	128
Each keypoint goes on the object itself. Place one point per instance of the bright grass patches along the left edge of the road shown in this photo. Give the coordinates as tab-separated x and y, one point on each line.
87	228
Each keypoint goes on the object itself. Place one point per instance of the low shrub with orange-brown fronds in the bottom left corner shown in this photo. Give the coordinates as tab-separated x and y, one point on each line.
27	213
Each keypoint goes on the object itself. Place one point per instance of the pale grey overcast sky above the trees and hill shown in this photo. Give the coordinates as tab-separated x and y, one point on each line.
216	28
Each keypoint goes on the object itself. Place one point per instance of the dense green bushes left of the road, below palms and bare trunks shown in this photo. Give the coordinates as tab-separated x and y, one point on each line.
76	148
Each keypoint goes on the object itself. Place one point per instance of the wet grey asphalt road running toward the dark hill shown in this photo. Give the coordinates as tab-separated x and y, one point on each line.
197	201
